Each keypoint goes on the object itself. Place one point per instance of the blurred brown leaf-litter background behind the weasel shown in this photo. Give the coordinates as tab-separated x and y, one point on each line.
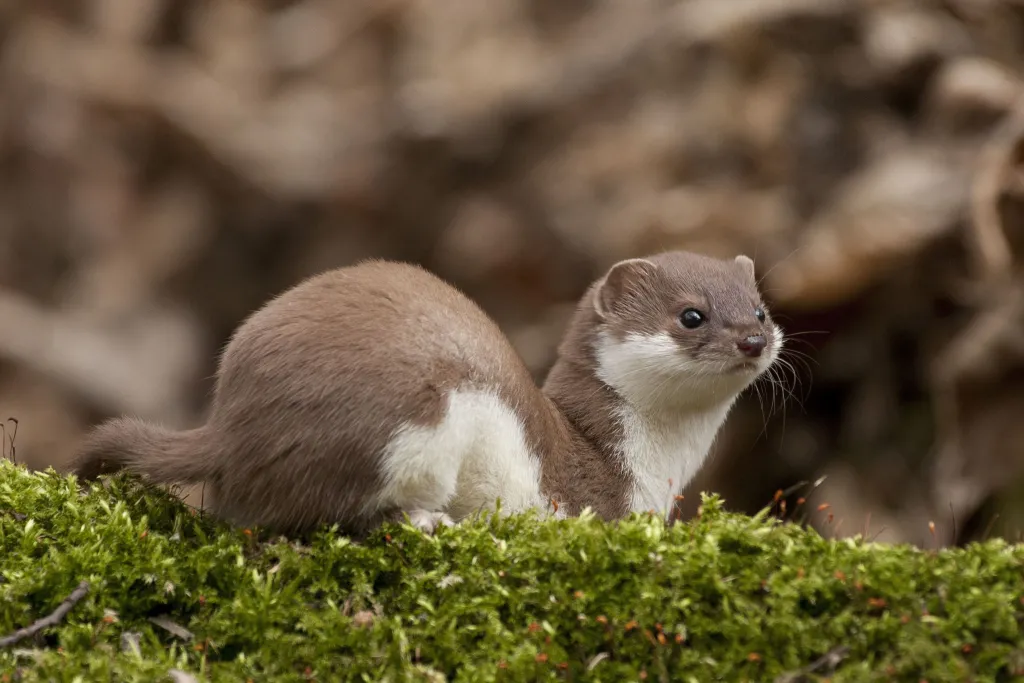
167	165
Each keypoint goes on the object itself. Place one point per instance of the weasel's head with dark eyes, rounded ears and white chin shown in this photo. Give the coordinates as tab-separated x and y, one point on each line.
681	328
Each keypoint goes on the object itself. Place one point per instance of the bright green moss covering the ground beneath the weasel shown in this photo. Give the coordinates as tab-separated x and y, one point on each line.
724	597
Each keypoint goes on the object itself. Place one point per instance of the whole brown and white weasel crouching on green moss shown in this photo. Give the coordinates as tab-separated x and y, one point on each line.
377	391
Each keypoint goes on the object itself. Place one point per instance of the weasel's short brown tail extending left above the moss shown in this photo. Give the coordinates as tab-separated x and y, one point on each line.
161	455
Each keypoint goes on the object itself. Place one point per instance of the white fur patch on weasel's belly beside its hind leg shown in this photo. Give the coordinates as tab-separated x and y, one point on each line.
477	455
